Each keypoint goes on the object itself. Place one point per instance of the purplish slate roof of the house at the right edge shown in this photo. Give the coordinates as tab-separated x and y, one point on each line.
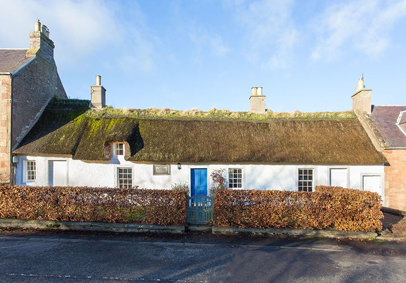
385	119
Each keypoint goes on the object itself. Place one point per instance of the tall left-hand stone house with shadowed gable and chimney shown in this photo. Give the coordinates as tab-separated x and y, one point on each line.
28	80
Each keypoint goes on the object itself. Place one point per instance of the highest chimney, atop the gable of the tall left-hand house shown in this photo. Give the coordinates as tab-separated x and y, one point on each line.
40	44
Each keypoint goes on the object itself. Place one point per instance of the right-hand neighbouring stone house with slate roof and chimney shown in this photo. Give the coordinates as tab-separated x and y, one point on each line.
386	126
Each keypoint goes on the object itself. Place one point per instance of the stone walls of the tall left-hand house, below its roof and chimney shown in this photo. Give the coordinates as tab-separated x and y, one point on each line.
30	90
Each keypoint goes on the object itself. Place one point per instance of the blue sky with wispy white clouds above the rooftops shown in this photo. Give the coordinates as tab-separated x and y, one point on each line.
204	54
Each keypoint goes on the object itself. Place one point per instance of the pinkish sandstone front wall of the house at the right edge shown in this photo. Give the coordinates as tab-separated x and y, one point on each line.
395	179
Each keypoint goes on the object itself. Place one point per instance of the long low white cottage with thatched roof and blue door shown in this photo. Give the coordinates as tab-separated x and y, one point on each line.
72	145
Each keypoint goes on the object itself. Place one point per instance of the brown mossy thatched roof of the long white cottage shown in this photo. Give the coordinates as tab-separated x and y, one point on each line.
72	131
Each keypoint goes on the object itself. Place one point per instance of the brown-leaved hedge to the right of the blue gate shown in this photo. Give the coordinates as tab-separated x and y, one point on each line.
327	208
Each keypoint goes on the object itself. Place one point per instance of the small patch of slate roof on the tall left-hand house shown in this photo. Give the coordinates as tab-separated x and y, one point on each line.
12	59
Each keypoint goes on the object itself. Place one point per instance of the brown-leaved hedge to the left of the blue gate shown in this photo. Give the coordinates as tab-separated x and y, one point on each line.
159	207
